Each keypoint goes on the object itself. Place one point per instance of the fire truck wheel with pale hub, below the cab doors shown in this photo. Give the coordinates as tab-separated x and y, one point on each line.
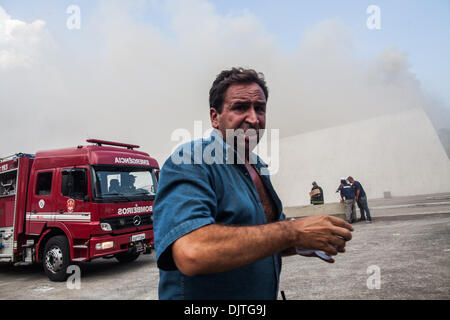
56	258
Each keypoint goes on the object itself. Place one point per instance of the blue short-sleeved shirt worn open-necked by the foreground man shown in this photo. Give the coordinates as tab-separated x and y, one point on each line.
196	193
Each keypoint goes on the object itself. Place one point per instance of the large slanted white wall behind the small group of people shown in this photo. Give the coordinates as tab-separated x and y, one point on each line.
400	153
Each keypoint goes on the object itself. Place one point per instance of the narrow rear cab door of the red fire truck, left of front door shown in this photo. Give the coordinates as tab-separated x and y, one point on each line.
42	206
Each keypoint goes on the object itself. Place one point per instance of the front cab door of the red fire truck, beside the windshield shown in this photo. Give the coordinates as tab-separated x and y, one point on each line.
73	200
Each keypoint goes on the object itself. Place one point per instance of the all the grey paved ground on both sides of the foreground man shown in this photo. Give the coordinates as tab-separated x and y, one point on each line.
408	243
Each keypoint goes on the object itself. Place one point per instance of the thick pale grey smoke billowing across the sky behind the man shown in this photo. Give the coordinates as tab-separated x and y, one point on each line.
133	82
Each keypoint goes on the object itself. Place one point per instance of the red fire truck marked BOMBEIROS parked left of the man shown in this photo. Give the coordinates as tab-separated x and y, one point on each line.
66	206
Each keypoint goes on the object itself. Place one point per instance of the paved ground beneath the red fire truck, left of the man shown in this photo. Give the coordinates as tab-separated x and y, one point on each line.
100	279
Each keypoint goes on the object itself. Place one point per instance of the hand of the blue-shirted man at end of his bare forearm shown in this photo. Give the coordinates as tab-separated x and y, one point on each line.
321	233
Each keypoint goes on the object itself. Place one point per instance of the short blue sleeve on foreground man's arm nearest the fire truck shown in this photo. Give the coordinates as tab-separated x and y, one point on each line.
185	201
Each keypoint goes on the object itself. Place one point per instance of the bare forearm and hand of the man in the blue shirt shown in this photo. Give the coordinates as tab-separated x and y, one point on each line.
217	248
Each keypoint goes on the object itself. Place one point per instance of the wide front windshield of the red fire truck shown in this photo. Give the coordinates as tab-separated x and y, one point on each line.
119	183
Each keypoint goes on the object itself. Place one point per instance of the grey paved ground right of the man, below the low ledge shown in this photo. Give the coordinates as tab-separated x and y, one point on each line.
412	257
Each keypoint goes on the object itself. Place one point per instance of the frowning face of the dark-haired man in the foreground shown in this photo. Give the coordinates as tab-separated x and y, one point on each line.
244	107
